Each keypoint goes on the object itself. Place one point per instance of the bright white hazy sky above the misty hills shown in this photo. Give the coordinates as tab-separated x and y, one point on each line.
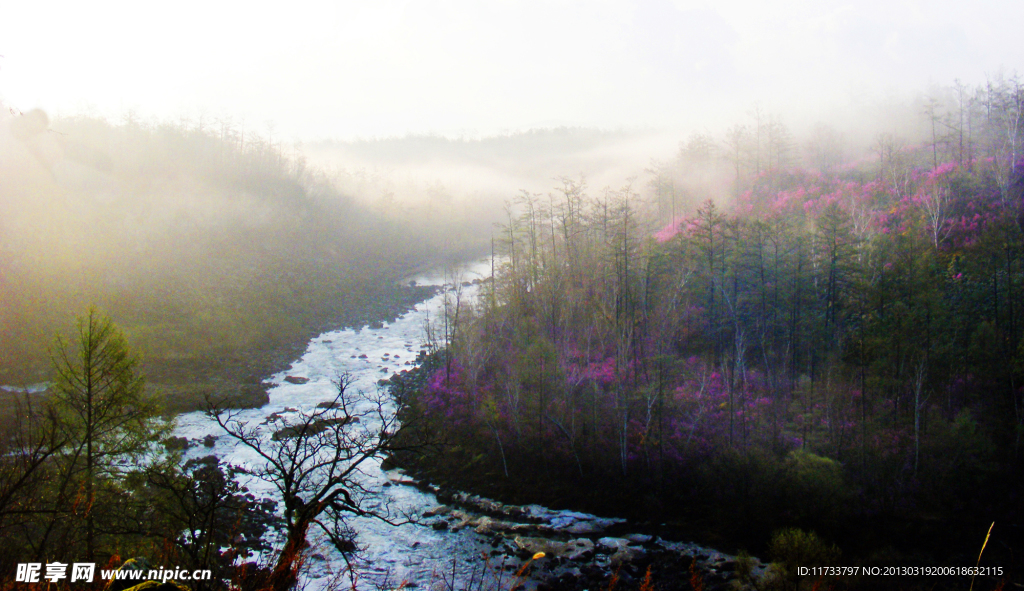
344	69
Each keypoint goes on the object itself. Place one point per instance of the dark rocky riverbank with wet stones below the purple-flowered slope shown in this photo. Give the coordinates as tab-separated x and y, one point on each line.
572	552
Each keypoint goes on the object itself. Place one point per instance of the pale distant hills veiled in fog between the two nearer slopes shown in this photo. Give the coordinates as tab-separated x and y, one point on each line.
472	178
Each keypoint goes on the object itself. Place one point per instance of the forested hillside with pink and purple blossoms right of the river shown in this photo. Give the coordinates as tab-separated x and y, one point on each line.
837	348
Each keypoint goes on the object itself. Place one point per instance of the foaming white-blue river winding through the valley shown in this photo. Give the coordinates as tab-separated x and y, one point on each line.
391	556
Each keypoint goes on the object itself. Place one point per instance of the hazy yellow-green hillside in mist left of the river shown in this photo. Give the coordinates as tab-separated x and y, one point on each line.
217	250
